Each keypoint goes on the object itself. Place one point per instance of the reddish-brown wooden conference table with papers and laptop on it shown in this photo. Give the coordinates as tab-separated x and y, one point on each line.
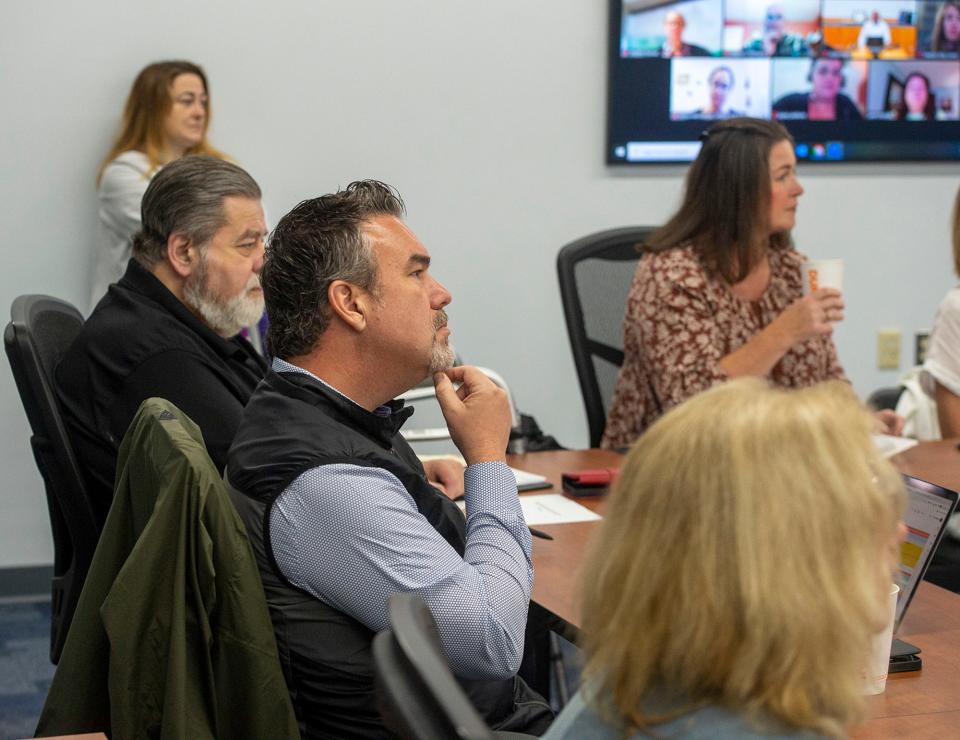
920	704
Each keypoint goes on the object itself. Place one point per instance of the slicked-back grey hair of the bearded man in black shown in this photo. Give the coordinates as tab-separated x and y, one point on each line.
186	197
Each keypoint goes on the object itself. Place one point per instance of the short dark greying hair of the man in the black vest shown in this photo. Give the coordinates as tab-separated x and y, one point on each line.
318	242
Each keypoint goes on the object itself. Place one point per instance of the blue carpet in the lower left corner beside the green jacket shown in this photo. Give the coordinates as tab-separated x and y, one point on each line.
25	668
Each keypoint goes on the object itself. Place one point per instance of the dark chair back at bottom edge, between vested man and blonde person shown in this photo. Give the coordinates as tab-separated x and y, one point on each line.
419	697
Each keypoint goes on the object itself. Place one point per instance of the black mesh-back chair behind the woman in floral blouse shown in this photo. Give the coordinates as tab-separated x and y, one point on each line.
595	274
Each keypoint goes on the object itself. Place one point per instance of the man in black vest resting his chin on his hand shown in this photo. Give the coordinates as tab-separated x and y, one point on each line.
340	512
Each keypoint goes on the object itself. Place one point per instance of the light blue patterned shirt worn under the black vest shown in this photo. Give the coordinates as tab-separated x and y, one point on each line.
351	535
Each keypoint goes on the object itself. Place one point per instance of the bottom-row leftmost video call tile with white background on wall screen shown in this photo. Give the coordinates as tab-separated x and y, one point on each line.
712	89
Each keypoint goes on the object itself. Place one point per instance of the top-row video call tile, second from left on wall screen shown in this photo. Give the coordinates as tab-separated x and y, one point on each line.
772	29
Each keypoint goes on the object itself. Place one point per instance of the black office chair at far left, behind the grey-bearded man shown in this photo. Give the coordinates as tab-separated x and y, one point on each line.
41	329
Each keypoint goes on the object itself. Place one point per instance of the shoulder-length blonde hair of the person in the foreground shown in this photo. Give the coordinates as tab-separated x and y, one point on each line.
739	560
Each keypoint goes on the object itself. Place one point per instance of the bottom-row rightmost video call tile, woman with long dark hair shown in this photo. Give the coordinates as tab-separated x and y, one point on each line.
913	91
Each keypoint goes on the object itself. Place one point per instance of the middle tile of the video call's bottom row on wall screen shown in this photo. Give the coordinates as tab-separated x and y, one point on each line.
821	89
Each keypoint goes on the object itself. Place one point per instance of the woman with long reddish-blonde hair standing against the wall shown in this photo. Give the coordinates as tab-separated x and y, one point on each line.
166	116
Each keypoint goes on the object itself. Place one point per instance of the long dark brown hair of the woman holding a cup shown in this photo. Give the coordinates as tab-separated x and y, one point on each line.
727	199
